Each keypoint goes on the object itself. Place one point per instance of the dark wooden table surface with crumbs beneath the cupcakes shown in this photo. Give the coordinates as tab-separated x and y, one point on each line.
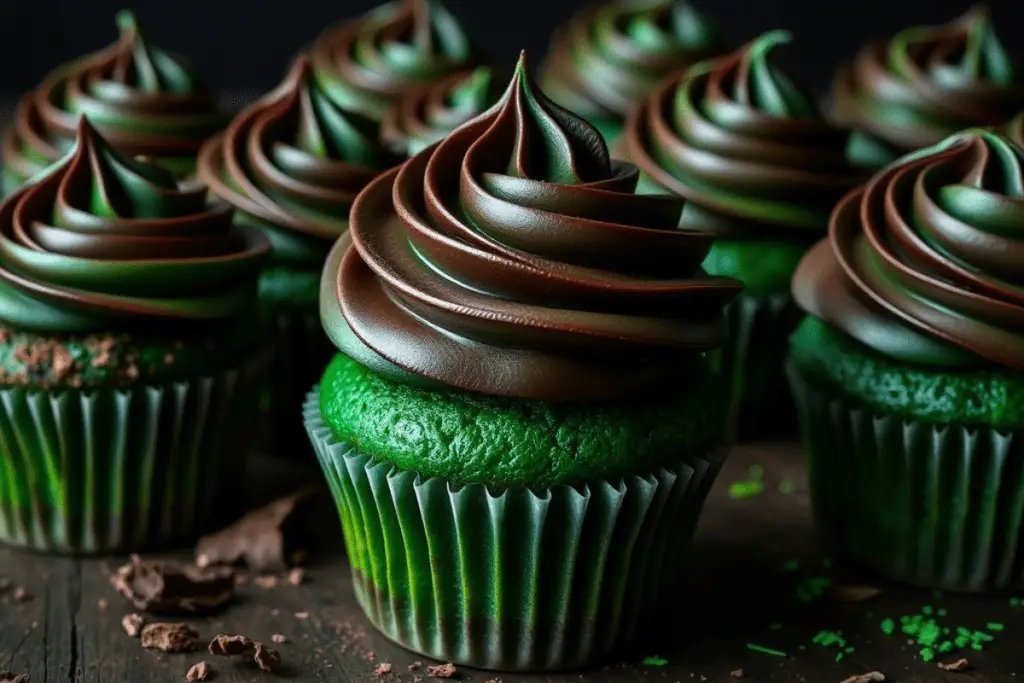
743	589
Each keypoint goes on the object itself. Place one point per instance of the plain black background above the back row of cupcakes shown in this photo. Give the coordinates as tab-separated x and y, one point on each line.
245	45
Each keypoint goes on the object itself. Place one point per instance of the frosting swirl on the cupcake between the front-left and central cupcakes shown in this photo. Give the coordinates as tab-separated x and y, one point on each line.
294	162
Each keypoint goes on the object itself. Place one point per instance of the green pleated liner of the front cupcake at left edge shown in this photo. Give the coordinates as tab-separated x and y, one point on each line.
106	471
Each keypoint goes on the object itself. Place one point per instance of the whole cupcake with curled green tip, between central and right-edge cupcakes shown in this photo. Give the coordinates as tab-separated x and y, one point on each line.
761	170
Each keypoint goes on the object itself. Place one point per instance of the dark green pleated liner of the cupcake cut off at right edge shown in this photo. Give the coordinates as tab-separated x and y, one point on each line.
940	506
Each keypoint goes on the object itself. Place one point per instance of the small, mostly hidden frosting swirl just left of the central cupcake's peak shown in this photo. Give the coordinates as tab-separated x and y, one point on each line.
425	115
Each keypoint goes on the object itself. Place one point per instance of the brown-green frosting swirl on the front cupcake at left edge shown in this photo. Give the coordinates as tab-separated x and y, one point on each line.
102	243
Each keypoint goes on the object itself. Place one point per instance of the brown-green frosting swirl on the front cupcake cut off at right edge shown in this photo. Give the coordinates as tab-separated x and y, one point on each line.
925	264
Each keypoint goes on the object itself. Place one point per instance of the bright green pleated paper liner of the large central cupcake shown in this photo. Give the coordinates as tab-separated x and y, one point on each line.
519	581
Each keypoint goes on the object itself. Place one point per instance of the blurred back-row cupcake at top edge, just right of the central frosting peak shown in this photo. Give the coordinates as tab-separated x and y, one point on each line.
613	56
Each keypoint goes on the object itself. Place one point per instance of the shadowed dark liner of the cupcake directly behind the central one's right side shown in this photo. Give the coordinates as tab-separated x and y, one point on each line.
753	364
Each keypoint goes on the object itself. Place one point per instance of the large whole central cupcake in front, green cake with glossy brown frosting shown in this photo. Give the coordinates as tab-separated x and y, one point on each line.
522	426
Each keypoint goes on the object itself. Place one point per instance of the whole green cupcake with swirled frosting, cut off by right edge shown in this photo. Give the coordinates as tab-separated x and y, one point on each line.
909	371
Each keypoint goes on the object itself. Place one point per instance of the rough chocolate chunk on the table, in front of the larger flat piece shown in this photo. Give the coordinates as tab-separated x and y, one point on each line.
175	588
